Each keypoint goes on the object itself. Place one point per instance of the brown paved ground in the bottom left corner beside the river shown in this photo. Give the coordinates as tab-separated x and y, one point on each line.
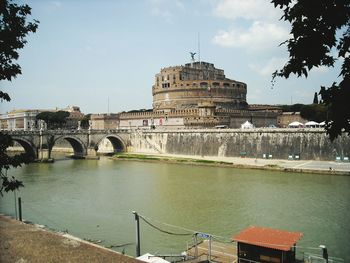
24	243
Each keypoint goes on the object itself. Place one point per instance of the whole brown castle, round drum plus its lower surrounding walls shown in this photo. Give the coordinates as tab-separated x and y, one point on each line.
198	95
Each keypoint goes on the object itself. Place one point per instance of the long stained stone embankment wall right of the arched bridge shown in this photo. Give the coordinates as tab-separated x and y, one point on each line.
309	144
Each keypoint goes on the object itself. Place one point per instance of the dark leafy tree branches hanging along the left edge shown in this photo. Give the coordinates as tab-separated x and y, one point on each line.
13	30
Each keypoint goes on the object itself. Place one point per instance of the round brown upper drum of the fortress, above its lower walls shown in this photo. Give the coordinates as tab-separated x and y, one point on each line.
184	87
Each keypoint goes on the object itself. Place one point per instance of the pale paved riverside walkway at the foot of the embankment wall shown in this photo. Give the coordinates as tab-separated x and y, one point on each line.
331	167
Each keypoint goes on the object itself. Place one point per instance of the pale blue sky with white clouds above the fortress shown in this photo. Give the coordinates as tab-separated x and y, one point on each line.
102	55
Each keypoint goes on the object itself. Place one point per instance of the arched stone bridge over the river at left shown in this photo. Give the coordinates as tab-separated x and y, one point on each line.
85	143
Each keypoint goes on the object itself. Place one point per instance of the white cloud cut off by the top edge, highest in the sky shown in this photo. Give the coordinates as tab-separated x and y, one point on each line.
261	10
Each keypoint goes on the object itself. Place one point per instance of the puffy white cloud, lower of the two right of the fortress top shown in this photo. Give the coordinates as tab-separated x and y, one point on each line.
259	36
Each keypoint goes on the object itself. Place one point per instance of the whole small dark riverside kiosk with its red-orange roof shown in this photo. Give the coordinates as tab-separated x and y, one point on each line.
259	244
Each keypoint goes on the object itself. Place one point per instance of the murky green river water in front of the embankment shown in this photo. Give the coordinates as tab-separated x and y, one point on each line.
95	198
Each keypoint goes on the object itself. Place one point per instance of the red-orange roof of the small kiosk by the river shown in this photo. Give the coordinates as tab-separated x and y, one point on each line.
268	237
